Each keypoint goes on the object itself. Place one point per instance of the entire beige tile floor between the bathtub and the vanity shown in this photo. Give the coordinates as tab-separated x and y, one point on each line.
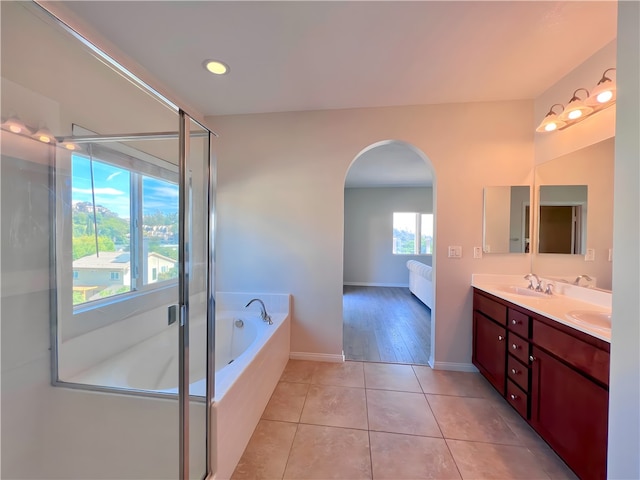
357	420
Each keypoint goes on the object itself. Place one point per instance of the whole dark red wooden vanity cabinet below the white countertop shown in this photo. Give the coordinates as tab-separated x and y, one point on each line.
555	377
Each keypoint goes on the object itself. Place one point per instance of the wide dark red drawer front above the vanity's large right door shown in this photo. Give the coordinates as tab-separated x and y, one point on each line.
581	355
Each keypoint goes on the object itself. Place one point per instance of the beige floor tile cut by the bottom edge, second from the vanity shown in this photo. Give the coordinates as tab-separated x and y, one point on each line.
490	461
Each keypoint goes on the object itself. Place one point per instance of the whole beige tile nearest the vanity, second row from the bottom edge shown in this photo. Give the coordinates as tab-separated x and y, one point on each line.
474	419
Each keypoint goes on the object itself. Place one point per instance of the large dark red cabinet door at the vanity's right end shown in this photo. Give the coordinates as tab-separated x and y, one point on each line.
570	412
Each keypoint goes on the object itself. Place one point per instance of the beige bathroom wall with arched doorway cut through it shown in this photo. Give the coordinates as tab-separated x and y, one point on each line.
281	205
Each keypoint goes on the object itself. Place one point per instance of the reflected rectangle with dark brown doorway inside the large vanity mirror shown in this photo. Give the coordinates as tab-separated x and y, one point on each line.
562	219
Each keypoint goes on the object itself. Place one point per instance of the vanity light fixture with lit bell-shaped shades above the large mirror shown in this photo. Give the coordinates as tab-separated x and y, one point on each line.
601	97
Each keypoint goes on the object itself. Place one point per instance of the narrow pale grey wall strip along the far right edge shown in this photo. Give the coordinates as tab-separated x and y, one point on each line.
624	399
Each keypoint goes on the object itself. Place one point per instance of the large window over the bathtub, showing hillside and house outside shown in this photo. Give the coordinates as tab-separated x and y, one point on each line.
122	217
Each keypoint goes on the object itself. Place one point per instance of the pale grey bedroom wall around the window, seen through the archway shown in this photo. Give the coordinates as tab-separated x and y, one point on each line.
368	233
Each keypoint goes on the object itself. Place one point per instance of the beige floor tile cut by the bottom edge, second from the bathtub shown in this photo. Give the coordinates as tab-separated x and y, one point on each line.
320	452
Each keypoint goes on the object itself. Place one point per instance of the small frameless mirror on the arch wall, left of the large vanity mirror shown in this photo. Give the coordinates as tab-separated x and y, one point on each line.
506	219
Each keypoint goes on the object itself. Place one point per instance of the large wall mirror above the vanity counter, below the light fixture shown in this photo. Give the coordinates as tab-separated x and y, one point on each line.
589	171
